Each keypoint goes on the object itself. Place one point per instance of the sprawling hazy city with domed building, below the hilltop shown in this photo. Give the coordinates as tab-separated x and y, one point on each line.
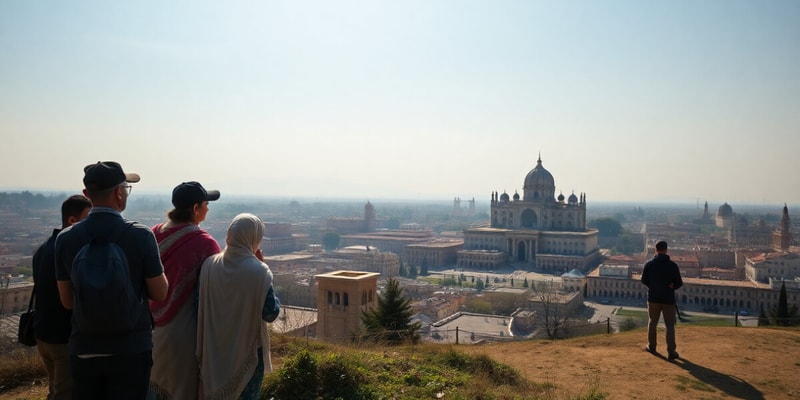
535	263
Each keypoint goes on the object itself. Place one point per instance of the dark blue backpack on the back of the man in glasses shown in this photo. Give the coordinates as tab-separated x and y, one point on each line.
105	301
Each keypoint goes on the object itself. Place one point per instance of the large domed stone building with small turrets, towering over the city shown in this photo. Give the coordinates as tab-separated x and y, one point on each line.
538	231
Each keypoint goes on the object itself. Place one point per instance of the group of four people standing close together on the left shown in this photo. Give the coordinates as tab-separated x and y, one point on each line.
125	311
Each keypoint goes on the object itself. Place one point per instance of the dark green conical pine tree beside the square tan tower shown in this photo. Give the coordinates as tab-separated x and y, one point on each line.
390	322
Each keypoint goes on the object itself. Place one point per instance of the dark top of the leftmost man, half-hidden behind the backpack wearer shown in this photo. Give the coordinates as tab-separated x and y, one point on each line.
51	323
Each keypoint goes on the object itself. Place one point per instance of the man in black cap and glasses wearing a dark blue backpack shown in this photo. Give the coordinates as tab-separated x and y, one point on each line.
106	269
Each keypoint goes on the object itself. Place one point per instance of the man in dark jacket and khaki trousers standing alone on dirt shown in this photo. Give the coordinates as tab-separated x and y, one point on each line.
662	277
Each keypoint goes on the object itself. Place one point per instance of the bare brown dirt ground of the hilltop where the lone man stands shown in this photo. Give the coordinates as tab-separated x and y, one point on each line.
715	363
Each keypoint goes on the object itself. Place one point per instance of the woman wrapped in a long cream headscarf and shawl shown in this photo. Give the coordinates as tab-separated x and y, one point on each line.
235	299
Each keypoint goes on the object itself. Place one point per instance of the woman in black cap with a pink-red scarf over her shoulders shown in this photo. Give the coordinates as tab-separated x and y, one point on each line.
183	247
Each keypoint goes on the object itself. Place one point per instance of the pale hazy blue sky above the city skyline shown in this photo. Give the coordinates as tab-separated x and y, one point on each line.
625	100
